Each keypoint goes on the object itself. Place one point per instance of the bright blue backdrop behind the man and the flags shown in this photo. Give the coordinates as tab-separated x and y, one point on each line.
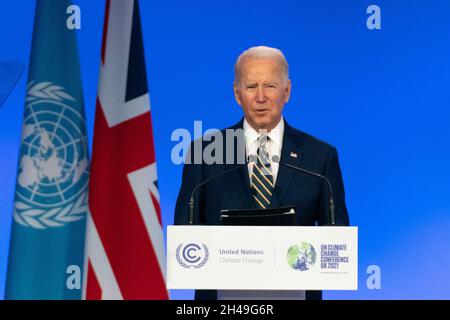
382	97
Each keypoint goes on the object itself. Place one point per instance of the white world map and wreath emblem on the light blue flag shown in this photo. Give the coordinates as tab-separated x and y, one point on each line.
53	173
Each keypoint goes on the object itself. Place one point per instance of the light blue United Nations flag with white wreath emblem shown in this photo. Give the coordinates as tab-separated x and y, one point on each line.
50	205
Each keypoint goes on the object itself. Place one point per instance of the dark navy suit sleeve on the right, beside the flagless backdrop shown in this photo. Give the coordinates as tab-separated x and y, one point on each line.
334	174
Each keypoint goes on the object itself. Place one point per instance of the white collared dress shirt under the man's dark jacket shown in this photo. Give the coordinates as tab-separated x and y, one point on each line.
273	145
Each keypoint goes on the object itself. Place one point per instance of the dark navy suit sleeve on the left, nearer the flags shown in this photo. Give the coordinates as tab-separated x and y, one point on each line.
192	176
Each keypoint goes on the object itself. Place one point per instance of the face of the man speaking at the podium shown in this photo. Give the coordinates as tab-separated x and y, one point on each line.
262	92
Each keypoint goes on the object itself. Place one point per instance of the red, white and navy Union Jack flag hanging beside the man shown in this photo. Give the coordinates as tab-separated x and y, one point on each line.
124	241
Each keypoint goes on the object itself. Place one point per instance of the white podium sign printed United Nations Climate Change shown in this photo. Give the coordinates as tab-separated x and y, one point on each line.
262	257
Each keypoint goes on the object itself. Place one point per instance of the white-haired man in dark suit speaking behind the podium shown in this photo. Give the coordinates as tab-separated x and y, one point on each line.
262	87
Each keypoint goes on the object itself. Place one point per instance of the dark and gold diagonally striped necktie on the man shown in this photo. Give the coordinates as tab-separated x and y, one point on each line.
262	178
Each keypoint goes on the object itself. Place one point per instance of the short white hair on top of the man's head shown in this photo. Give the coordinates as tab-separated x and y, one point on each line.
261	52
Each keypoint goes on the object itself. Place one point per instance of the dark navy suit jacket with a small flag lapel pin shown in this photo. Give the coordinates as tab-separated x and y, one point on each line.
232	191
